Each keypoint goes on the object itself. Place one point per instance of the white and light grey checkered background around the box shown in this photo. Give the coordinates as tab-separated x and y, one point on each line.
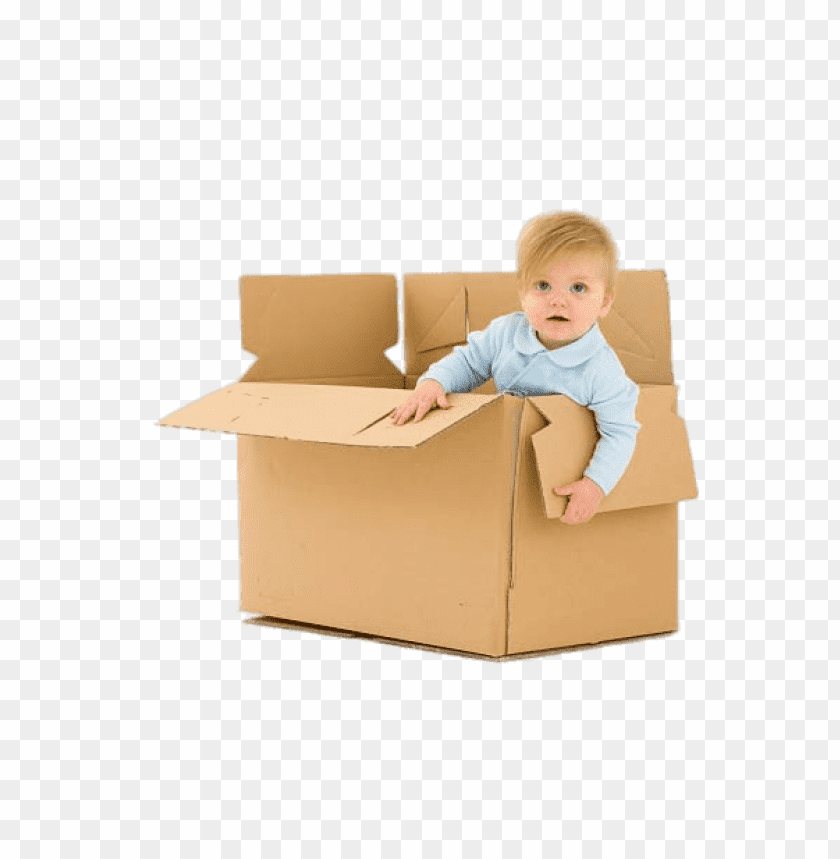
150	160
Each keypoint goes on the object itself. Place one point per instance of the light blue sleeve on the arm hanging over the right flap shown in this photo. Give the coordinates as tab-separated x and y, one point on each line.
614	404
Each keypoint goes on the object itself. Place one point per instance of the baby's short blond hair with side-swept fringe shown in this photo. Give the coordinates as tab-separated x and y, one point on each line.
552	235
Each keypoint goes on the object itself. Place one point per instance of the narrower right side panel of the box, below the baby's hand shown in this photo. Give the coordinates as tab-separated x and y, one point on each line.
612	577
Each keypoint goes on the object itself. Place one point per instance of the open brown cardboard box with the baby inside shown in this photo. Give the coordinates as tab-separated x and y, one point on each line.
445	532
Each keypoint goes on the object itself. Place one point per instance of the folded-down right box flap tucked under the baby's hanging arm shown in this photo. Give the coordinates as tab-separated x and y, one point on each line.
660	472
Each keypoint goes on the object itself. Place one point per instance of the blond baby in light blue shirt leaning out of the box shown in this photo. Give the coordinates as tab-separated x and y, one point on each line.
566	267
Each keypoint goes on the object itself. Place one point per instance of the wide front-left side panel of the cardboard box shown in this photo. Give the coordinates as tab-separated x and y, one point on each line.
409	544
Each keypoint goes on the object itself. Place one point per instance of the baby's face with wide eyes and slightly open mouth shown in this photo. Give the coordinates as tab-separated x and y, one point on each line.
573	288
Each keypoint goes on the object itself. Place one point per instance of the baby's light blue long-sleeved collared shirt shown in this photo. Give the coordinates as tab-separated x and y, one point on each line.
587	371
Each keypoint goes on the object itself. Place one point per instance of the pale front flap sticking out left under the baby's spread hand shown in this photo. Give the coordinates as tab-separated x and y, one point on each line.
330	414
